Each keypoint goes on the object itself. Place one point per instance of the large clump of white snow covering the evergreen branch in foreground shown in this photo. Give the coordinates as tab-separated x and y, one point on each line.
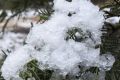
48	45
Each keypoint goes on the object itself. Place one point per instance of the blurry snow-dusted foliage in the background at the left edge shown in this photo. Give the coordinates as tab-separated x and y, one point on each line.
11	41
